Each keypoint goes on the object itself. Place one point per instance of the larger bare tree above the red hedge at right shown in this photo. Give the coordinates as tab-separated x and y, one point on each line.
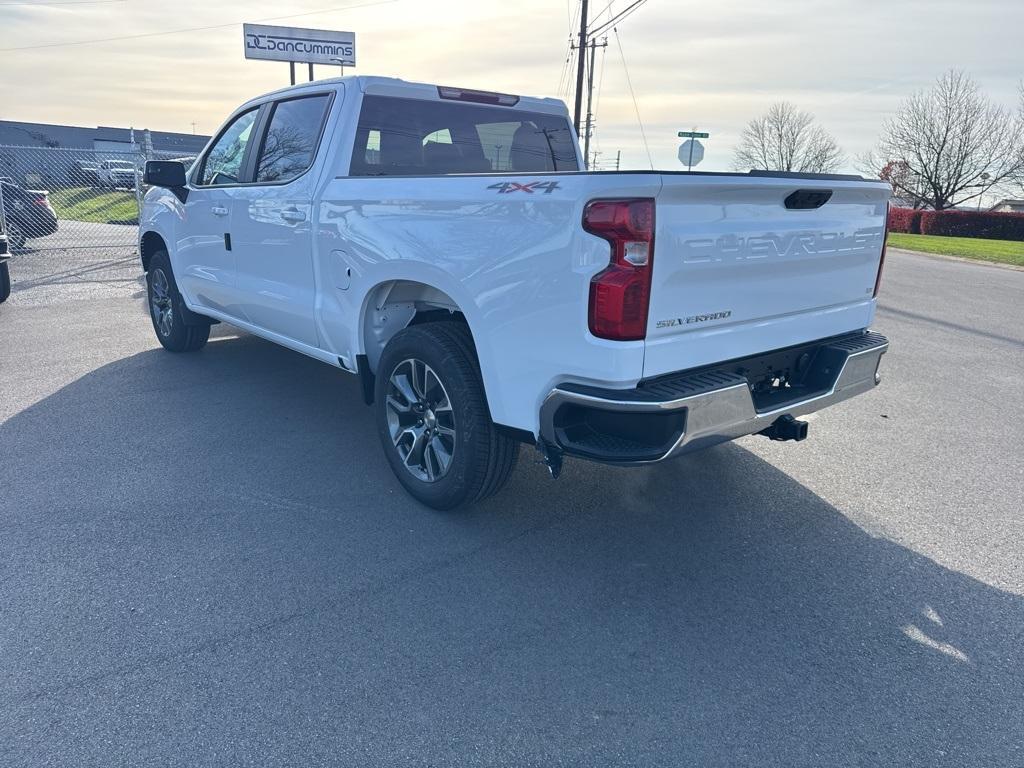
951	144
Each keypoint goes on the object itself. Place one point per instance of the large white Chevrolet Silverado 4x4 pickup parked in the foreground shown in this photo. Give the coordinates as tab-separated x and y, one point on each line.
444	245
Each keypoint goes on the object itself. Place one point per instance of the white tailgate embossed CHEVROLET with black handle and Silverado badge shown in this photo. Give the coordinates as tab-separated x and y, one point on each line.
748	265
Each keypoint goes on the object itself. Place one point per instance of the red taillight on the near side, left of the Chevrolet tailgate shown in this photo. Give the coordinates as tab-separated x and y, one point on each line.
620	294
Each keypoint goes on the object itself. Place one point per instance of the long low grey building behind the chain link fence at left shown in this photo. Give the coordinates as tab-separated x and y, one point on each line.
55	156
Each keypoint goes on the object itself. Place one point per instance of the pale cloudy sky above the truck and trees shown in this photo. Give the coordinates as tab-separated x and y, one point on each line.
710	64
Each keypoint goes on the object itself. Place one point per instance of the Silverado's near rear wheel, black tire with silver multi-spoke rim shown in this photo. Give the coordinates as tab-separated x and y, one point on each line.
482	459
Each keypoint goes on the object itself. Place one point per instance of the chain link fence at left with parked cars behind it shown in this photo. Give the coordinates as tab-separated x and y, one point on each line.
57	199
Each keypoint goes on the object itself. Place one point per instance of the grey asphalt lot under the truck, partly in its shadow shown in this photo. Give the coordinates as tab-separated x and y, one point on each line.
205	561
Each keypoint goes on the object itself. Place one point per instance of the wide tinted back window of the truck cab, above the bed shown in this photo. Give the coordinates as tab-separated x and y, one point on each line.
417	138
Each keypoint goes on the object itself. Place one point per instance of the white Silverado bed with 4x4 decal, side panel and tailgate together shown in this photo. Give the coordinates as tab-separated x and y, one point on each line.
753	275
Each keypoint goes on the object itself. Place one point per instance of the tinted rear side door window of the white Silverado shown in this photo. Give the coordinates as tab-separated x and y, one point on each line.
292	137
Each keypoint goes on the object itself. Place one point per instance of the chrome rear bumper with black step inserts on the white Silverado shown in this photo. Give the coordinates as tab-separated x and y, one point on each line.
686	412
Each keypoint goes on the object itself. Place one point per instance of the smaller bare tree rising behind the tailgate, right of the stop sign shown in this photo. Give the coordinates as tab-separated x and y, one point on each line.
786	139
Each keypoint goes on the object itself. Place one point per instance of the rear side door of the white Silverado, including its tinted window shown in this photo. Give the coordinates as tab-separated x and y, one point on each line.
273	222
